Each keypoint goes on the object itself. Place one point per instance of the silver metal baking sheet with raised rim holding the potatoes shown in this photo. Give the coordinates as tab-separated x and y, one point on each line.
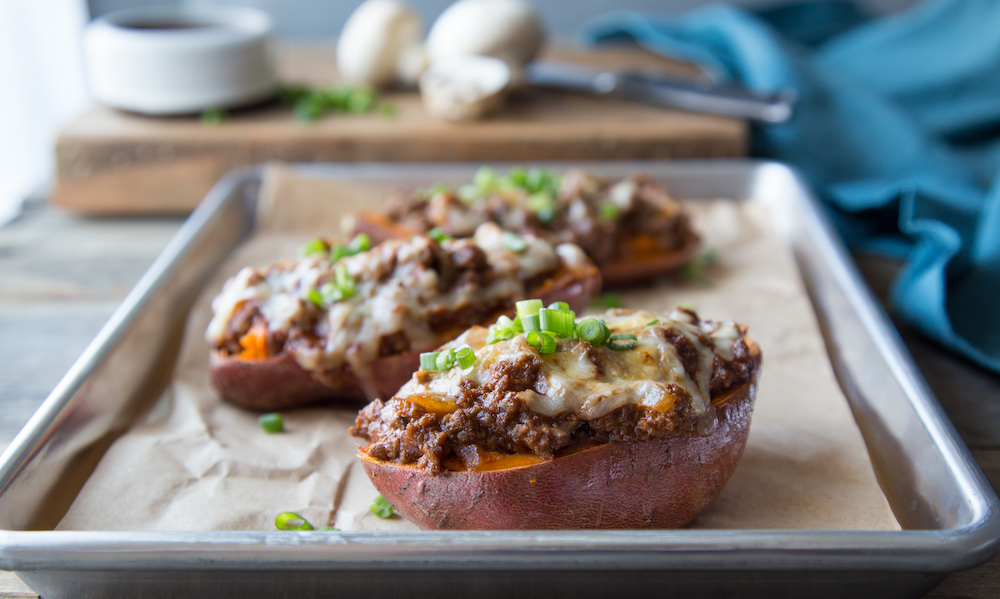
948	511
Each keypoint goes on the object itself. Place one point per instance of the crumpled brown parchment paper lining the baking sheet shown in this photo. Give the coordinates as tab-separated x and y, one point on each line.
201	464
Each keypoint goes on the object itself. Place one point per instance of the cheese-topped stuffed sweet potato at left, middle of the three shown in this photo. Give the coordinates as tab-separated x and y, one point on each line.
347	322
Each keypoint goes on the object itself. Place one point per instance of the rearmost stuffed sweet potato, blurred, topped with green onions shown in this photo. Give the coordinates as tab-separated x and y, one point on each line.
632	228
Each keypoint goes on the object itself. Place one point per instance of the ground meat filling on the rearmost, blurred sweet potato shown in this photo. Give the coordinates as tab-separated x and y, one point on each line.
611	221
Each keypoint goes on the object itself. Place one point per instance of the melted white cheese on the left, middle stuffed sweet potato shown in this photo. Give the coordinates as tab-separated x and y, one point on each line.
394	292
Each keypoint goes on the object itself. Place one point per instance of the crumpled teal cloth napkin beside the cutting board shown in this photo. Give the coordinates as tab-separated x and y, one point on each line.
897	127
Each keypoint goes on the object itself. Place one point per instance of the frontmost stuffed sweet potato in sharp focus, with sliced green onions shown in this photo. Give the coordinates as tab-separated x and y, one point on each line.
637	421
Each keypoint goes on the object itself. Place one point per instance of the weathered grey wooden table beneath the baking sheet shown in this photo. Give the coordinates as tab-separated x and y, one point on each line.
62	276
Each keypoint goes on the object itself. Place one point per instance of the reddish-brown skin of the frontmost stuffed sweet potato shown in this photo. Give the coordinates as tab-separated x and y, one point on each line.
664	483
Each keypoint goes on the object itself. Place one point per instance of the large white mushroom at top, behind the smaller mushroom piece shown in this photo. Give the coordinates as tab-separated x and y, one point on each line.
505	29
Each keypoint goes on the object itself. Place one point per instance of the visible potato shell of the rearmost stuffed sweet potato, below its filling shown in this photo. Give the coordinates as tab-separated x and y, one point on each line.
639	266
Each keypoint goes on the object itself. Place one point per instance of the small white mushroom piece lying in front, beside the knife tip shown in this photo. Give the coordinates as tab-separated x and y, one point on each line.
464	88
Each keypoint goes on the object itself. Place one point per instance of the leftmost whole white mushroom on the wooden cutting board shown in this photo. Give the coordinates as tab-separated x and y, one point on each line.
380	45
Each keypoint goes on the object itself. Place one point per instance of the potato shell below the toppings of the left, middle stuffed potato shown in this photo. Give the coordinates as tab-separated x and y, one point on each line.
279	382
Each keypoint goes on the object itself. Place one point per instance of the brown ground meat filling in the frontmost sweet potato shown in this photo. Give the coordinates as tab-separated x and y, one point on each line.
493	415
